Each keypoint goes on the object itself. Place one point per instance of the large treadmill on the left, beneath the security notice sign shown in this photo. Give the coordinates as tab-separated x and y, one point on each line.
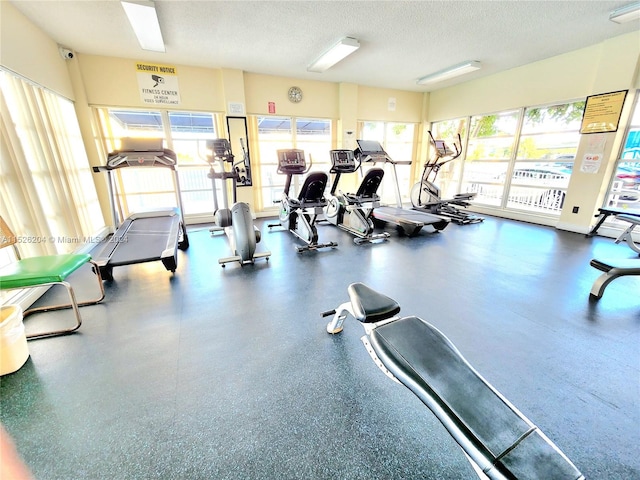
146	236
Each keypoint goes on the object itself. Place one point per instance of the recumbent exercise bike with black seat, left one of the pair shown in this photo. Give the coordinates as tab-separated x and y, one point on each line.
299	215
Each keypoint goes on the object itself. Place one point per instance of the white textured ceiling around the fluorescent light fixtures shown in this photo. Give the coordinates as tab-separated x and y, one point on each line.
400	41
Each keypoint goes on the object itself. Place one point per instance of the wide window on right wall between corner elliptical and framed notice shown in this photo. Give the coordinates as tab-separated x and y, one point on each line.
523	159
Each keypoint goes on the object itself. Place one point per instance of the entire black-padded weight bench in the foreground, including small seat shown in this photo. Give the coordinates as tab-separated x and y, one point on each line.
498	440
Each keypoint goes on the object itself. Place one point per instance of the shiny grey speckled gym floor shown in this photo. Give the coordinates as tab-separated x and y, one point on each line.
229	374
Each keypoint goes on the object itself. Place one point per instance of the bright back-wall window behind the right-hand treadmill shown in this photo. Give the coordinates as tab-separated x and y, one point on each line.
398	140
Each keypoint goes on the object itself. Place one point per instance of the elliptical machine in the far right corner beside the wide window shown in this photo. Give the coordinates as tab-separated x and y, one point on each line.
425	195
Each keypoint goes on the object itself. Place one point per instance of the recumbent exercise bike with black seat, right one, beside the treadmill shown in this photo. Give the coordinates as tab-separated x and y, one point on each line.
352	212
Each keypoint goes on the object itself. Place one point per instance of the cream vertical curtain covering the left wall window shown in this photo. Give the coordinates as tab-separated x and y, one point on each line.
47	193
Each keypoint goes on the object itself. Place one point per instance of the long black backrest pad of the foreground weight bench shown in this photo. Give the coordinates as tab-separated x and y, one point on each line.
426	361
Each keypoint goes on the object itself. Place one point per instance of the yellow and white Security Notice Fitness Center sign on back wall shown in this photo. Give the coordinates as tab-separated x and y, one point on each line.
158	84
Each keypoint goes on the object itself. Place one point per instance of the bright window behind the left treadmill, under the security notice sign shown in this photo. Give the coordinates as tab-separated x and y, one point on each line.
186	134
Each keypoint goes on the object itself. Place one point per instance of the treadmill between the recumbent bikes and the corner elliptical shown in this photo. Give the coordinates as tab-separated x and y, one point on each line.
409	221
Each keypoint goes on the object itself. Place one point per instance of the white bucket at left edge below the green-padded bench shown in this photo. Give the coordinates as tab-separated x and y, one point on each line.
13	340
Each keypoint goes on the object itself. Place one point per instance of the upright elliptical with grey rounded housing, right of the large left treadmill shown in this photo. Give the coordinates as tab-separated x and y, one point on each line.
236	222
